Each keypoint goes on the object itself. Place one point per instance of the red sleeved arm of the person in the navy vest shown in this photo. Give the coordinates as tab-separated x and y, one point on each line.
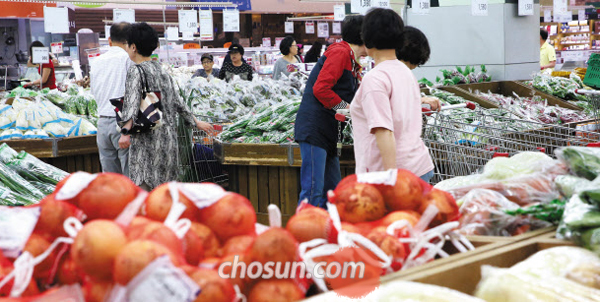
332	71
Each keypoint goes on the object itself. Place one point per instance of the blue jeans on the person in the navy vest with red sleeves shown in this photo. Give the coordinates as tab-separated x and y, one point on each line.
319	173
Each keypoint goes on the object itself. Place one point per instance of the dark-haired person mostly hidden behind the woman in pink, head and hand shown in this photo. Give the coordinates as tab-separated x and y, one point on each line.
415	52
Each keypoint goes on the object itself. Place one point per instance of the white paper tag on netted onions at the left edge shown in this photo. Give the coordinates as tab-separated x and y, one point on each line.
16	225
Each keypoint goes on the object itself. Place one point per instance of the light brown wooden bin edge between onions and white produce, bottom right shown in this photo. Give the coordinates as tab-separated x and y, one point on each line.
463	272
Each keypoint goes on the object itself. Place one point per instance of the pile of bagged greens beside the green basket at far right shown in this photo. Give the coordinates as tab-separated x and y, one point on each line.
558	86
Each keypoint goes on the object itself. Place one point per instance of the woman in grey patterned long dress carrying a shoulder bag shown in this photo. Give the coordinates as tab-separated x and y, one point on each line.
153	156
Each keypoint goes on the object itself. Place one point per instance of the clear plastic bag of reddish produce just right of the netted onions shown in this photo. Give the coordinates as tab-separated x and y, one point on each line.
482	213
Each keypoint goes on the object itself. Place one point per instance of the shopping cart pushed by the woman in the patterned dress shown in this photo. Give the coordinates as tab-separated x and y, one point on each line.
196	157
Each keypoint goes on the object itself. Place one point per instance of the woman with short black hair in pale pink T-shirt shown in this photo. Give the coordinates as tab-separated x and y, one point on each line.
386	111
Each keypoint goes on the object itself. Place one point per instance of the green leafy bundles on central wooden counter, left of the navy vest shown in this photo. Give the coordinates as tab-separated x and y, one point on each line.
267	124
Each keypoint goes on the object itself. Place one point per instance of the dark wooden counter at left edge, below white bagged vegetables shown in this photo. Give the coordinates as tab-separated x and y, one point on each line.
70	154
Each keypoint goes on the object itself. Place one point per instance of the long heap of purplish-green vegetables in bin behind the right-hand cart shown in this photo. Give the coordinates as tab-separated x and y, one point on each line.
535	108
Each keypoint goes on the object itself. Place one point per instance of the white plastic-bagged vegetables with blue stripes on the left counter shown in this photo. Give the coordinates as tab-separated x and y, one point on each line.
40	119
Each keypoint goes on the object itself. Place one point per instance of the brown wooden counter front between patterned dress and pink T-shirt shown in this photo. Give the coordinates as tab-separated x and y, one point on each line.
269	174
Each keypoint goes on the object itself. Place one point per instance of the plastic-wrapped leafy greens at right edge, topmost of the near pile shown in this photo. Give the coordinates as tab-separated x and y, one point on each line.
582	161
